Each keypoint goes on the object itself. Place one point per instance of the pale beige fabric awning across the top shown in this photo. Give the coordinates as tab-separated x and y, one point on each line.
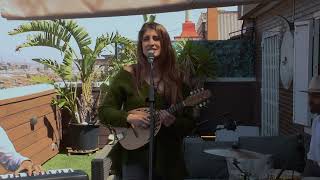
54	9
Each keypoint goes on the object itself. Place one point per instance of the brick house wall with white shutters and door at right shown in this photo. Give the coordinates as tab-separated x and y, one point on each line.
287	37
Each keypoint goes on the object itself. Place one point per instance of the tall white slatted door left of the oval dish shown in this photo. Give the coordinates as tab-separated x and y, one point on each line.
270	83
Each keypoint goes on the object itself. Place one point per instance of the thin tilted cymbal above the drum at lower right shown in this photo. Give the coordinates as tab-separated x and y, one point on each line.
234	153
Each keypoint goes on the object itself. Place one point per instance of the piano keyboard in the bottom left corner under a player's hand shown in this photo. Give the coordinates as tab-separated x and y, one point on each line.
56	174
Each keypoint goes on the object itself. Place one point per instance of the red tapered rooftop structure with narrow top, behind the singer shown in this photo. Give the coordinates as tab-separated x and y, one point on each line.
188	30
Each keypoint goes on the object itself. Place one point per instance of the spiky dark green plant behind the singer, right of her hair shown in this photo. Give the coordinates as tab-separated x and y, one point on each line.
195	61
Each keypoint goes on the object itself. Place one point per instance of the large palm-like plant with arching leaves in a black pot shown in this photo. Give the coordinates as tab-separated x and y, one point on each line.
75	89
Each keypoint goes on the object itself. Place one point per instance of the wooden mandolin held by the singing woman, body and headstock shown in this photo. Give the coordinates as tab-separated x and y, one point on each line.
135	137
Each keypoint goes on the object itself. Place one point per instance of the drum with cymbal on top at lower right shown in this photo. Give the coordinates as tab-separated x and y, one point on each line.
250	165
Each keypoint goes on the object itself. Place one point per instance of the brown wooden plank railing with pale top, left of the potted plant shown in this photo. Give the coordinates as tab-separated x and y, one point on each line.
31	122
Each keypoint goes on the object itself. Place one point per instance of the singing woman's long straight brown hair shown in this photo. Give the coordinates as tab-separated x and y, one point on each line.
167	65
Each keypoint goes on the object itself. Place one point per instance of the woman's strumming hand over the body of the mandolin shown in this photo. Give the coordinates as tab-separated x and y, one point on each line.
138	118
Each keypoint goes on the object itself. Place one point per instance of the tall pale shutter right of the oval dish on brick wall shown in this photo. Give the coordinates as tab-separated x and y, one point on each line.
303	56
